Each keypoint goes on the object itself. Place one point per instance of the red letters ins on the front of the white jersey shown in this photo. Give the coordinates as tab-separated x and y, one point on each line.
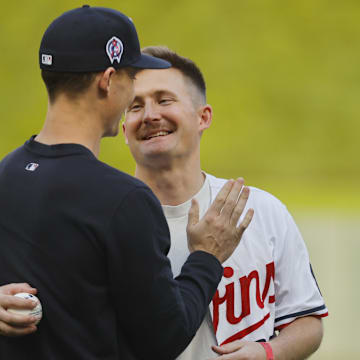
229	296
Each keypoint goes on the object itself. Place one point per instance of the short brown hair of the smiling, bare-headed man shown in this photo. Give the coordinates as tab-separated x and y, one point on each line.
186	66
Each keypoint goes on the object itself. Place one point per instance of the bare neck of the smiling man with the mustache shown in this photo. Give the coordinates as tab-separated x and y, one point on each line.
173	186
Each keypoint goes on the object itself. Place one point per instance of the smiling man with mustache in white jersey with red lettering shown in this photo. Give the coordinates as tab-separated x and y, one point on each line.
268	283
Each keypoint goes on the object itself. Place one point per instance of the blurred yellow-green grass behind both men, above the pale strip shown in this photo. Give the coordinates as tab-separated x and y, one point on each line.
283	78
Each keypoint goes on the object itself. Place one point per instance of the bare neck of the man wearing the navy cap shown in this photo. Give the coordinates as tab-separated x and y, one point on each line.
68	122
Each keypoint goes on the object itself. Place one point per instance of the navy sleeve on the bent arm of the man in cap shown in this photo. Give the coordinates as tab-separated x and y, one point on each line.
158	315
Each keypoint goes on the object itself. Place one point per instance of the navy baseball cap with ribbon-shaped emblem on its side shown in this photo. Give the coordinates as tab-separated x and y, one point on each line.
91	39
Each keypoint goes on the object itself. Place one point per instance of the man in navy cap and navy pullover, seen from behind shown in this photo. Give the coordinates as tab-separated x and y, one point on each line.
91	239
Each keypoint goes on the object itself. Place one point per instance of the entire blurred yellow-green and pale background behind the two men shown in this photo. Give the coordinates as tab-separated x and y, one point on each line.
283	78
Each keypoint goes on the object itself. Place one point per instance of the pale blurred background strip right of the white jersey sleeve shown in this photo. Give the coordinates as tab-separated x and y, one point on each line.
333	242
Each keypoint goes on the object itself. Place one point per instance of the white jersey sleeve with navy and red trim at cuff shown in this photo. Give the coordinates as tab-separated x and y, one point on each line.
296	290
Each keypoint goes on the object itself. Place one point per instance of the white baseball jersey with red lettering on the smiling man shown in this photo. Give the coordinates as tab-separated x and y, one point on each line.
268	281
